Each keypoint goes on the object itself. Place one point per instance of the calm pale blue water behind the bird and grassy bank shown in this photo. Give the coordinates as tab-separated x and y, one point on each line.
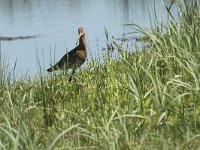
57	22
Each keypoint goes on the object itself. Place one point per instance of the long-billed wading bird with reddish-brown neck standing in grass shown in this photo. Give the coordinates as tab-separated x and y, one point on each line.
74	58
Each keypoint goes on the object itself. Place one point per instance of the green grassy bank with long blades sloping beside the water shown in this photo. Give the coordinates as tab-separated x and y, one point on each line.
149	99
